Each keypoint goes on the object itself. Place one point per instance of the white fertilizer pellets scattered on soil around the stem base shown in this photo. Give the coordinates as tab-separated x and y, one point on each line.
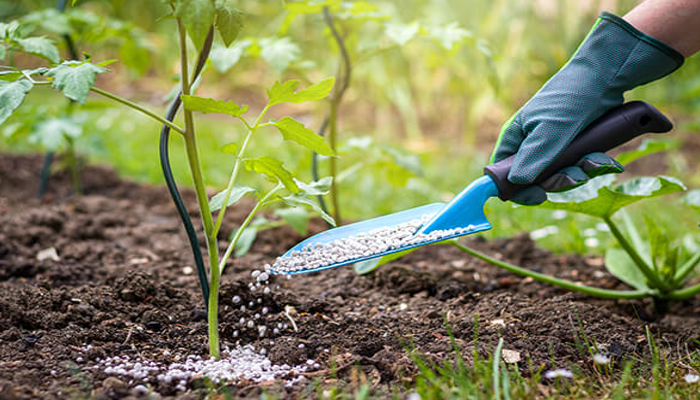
238	365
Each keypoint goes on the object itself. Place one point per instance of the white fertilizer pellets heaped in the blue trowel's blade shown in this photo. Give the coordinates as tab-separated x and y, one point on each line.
363	245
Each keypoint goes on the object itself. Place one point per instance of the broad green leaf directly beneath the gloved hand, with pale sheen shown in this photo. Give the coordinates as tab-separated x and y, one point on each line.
600	198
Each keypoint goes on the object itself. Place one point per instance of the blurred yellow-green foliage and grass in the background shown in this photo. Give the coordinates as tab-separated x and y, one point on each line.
432	82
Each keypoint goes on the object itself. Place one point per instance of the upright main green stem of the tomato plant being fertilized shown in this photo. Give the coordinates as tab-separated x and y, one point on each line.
202	202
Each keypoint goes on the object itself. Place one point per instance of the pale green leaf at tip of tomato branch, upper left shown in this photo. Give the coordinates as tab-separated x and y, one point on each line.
74	79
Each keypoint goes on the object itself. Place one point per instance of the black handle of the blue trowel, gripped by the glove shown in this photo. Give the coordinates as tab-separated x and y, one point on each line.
617	126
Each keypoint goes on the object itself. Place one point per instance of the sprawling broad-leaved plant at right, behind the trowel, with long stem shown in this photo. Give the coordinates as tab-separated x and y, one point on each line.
658	267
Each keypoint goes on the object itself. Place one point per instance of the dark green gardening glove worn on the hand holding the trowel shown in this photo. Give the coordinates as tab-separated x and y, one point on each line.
613	58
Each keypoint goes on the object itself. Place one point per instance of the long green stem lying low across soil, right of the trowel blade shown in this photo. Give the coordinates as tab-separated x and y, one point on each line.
563	283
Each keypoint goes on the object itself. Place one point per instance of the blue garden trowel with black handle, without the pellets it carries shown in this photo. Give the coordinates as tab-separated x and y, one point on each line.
464	215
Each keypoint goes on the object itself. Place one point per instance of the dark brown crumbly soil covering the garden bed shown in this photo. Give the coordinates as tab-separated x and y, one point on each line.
121	285
